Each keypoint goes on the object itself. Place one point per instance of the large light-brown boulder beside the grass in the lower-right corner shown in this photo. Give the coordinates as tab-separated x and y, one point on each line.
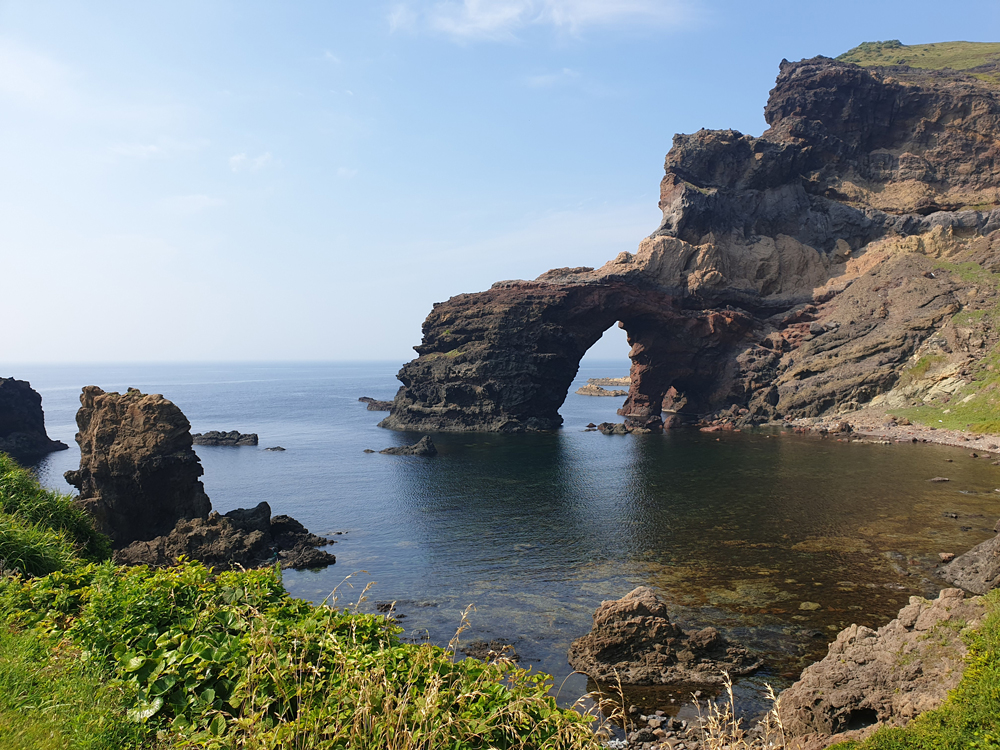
886	677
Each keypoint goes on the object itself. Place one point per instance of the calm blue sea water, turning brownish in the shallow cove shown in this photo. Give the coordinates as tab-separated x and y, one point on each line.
779	540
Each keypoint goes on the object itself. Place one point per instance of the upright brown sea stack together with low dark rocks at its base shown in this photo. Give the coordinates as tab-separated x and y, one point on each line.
139	480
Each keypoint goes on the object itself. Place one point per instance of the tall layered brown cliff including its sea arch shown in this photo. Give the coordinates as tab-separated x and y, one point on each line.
795	274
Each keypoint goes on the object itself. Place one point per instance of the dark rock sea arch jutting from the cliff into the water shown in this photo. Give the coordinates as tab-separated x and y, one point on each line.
503	360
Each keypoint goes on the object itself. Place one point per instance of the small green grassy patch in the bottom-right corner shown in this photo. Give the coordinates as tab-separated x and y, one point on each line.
970	717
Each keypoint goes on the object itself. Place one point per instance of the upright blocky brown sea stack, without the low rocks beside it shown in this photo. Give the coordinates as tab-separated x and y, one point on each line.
138	473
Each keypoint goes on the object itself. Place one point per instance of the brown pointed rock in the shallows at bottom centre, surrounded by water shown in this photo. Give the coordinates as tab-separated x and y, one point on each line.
633	640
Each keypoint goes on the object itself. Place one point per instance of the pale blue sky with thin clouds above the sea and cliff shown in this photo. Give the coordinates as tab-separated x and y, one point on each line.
234	180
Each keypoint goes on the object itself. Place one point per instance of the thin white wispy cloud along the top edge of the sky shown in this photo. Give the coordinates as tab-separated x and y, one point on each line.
502	19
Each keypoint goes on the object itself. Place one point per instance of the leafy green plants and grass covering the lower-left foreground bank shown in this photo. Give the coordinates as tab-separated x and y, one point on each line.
95	655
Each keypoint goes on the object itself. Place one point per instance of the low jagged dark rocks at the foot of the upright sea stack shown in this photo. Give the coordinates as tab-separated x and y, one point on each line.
247	538
